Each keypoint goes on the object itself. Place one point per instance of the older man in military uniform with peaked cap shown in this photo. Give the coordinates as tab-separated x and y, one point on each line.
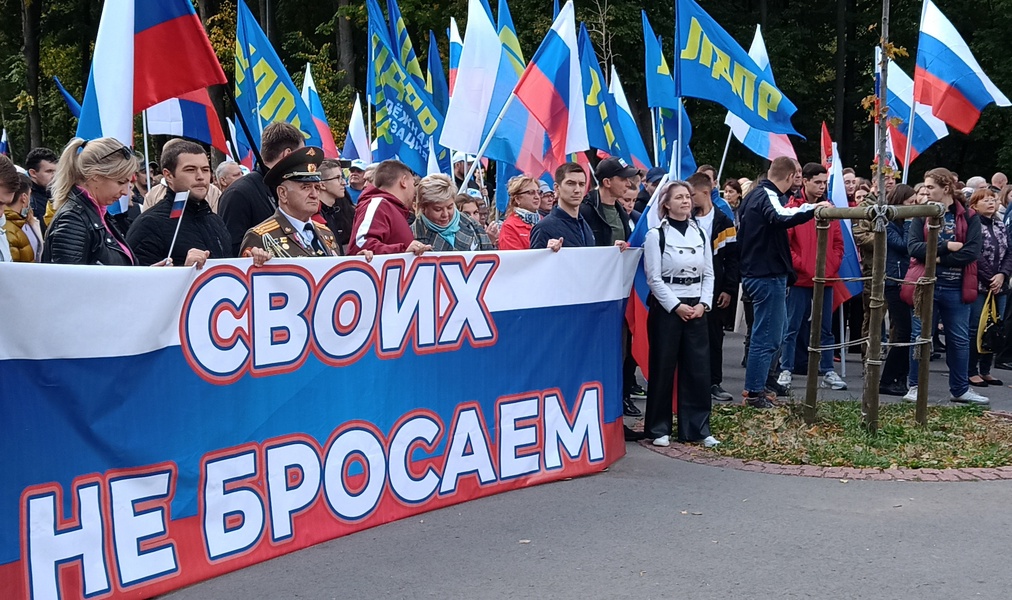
291	232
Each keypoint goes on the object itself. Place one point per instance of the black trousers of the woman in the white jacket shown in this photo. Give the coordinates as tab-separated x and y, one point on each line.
684	346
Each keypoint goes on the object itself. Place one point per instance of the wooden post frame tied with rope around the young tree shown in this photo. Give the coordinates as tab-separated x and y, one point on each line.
880	215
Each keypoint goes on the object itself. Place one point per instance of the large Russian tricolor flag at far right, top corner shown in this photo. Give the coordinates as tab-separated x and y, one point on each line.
949	78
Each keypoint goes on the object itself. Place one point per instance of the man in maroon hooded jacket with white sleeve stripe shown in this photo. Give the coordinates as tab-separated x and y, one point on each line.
384	213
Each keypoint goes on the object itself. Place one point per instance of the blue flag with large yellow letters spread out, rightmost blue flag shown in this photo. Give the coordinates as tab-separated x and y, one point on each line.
714	67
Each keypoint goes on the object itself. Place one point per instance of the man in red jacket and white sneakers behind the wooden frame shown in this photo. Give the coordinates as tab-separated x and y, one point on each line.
804	247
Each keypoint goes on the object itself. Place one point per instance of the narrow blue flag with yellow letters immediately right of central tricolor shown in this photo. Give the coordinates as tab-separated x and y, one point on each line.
604	131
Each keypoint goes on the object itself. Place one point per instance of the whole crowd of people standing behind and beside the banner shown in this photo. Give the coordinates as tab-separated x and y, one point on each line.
748	240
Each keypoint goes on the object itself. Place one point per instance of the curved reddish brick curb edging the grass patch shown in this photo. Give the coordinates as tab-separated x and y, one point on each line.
701	456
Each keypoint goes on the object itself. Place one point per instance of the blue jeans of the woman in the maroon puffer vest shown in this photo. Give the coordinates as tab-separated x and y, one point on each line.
955	316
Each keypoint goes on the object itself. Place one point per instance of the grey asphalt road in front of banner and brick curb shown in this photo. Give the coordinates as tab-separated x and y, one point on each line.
656	528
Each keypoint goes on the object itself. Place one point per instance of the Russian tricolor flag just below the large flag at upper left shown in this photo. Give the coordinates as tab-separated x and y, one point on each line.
191	116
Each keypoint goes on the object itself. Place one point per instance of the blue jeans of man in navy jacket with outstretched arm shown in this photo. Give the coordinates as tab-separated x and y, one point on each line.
770	303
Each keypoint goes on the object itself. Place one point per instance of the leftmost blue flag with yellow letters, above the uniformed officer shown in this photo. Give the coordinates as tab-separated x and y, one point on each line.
265	91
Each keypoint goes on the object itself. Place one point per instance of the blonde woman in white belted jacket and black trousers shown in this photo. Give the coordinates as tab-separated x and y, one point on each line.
680	268
